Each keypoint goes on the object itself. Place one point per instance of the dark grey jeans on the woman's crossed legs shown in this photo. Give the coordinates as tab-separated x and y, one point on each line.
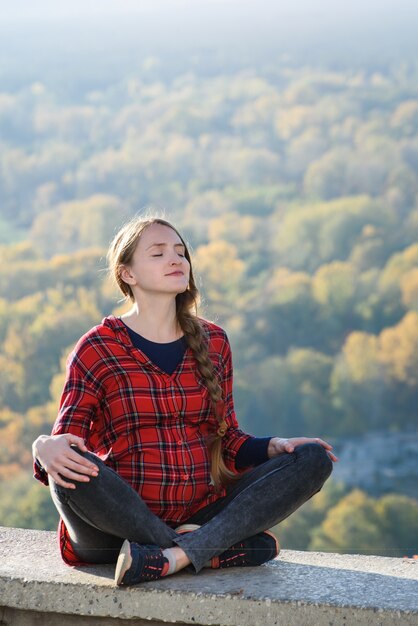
101	513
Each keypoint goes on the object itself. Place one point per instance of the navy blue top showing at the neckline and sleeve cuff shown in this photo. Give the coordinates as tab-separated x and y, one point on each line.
167	356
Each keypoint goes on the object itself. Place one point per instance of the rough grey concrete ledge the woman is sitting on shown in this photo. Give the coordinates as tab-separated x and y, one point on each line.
300	588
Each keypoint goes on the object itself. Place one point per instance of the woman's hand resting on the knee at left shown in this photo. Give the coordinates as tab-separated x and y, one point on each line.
61	461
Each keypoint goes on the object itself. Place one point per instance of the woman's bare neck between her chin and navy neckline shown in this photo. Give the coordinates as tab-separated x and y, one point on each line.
155	320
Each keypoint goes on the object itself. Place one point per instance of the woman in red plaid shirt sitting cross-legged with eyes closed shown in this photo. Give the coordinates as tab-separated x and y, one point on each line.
146	464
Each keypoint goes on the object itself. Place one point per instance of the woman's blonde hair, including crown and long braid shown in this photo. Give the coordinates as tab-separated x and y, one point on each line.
120	253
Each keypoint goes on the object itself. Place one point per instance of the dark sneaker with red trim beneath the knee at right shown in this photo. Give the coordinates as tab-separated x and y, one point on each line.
250	552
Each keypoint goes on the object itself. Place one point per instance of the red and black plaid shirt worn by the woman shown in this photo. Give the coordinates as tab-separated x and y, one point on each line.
149	426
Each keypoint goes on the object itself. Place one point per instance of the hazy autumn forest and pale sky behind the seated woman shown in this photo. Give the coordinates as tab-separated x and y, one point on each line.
284	144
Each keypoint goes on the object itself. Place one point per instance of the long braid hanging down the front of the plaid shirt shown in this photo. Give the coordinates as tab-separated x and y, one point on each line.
197	342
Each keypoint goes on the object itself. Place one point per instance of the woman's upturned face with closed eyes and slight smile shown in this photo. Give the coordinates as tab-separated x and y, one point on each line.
158	264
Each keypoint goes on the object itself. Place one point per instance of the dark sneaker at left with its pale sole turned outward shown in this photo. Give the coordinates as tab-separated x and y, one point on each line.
139	563
